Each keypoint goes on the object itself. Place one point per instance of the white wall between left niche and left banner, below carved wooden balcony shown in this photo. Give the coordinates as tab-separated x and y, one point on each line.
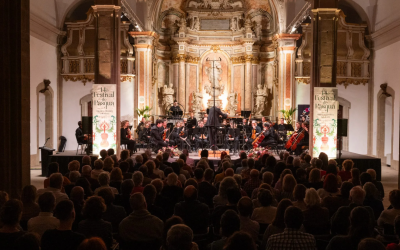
71	109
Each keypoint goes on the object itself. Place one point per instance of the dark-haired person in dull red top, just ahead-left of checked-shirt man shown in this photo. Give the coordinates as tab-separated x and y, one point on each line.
266	213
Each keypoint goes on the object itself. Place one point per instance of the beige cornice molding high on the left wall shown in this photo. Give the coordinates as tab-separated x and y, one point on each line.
44	31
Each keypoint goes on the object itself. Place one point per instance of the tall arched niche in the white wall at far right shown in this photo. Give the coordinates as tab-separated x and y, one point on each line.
385	125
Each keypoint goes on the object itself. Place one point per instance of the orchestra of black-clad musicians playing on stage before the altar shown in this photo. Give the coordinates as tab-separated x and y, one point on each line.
230	132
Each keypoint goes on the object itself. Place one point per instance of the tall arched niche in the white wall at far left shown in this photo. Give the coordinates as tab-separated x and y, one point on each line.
44	117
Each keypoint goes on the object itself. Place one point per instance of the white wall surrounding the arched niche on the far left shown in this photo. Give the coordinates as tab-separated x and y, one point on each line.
43	65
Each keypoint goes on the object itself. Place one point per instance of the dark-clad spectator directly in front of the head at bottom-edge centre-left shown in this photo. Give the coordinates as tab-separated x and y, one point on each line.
194	213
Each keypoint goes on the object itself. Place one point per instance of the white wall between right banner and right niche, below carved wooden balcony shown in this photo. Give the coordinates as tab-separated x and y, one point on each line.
357	95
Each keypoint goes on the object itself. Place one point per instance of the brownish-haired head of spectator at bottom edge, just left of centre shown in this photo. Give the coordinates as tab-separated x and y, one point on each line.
180	237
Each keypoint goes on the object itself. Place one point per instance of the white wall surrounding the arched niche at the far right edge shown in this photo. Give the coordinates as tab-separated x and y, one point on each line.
387	71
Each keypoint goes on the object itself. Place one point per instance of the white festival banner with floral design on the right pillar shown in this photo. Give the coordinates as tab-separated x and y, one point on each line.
325	121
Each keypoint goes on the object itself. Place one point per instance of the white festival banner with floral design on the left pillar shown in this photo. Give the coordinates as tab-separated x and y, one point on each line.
104	102
